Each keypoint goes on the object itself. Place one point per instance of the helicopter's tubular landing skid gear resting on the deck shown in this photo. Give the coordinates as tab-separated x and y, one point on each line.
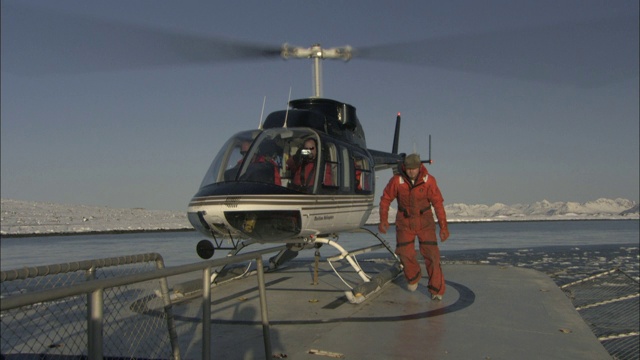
356	294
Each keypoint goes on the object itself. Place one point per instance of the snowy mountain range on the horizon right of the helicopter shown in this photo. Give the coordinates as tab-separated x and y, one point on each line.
542	210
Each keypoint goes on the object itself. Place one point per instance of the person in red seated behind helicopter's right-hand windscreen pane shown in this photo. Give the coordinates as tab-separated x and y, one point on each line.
303	167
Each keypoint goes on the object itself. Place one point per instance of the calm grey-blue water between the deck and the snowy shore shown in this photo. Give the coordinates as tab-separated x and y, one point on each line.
178	248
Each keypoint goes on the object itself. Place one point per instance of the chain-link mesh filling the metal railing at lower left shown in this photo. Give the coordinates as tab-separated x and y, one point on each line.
59	328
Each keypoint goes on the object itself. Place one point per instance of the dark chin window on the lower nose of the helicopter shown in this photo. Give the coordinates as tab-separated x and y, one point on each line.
265	226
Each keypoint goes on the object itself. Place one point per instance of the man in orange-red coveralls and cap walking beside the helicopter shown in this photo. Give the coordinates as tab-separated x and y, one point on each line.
416	192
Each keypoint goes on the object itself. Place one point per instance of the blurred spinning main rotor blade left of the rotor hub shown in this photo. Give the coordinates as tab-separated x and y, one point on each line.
40	42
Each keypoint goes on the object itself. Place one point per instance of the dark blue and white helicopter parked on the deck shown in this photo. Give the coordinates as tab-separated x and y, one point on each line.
304	175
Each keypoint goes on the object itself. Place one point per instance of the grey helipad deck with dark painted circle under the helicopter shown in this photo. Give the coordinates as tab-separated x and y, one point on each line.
488	312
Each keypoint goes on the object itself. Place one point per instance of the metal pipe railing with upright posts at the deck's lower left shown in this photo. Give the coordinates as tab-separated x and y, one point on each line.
25	308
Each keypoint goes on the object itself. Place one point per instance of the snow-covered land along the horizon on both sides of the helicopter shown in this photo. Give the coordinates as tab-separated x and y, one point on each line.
29	218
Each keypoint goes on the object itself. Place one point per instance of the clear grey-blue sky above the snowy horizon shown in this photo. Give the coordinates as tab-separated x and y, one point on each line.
80	128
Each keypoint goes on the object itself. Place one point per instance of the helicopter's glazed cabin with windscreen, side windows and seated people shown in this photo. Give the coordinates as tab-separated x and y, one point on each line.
298	159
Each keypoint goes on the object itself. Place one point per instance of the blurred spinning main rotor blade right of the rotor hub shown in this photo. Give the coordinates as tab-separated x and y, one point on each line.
584	54
